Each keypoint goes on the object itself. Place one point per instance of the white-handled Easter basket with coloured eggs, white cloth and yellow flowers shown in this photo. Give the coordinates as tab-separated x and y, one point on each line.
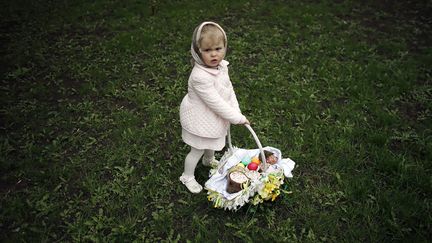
247	176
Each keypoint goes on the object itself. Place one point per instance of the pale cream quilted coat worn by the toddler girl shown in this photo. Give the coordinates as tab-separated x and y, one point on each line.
210	104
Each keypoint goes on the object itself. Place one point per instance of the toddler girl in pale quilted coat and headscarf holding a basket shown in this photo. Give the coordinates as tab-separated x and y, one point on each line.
210	104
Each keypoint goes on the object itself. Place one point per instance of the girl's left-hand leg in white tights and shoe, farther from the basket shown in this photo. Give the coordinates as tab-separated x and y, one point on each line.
188	177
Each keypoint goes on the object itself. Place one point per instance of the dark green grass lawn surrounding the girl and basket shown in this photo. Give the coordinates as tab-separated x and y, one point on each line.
91	145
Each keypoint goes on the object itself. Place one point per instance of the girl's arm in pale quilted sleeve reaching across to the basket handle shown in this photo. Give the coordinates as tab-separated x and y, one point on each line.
209	95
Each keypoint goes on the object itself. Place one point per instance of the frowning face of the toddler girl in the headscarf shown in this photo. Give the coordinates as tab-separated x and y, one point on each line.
212	51
